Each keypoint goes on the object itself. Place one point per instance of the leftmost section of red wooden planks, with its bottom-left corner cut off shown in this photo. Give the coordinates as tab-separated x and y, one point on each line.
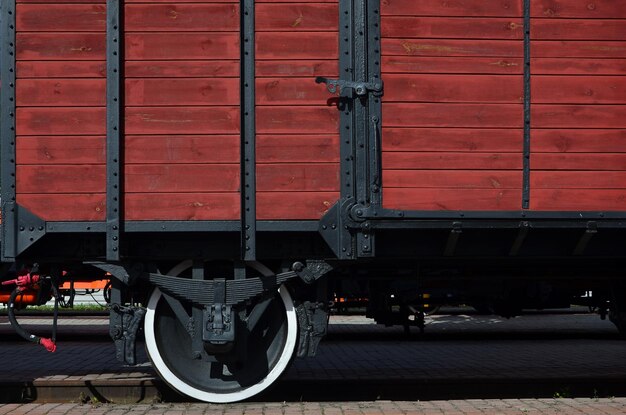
60	109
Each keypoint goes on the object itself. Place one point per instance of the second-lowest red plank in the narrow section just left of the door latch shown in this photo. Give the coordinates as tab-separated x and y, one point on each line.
308	177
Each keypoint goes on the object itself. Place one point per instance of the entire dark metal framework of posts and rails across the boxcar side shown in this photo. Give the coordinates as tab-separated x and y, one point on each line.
350	226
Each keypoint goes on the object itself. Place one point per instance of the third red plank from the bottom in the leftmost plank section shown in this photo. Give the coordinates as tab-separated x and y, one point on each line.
42	150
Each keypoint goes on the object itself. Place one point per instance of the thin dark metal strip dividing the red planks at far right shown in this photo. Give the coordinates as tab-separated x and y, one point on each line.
526	164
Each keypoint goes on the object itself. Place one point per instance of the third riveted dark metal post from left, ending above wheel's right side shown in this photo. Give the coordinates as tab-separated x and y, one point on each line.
248	133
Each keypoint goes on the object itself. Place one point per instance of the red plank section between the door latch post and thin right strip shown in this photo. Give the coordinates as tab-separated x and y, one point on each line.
453	105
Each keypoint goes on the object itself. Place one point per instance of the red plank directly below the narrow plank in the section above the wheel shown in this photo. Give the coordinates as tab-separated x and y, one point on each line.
172	92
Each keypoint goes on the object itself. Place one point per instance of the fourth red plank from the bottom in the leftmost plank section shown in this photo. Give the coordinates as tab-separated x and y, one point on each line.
61	121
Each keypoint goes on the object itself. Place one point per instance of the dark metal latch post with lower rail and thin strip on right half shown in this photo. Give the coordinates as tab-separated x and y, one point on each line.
349	226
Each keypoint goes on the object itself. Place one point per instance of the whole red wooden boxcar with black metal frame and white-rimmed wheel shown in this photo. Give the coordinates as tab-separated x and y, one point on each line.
236	163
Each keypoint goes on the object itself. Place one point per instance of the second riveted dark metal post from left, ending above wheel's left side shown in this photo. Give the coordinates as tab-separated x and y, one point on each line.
114	127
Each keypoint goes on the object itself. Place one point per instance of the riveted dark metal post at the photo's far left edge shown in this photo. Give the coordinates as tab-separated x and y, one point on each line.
7	128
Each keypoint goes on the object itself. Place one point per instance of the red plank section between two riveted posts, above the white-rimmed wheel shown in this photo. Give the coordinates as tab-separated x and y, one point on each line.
182	94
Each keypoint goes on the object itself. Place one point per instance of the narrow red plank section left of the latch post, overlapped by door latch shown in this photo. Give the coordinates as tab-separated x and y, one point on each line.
297	120
